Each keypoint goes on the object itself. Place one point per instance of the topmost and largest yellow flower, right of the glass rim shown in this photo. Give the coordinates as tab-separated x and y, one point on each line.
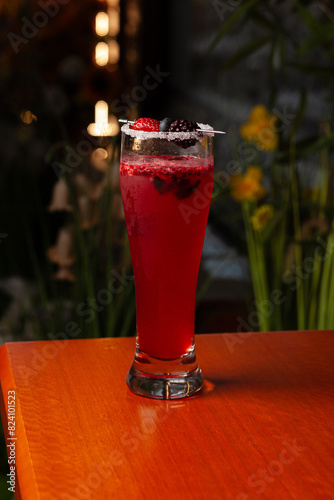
261	129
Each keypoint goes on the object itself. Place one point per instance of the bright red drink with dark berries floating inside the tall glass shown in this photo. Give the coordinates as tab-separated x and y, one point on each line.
166	203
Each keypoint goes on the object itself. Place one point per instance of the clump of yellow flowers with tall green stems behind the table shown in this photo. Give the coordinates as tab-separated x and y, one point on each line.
289	228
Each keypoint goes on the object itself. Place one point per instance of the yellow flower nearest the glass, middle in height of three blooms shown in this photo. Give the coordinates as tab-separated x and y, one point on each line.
248	187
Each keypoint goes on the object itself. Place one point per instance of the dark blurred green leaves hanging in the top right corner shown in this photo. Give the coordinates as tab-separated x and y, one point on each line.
298	37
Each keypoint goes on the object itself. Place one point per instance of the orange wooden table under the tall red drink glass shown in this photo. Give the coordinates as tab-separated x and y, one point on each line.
262	427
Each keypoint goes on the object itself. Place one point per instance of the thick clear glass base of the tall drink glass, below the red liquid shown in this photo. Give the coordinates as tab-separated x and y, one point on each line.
165	379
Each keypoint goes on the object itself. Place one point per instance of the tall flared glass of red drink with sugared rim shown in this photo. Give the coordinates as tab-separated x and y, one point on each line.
166	183
